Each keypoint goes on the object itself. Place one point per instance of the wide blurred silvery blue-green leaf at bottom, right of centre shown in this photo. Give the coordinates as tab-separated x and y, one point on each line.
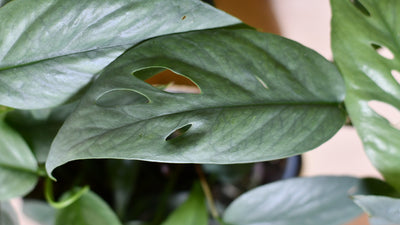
300	201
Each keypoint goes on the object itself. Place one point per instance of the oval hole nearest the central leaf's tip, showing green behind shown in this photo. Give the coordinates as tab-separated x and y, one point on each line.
121	97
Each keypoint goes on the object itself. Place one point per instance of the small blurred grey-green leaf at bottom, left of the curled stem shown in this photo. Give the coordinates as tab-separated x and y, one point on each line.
39	211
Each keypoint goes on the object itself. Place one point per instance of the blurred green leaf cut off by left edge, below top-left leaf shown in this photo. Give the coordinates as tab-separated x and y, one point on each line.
18	167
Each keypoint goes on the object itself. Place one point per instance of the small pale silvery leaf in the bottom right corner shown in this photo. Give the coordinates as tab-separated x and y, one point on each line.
381	210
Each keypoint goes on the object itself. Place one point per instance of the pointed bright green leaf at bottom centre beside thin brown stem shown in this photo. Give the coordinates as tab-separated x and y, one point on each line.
192	212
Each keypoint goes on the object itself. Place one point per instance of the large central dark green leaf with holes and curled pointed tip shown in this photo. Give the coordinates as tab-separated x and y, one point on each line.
262	97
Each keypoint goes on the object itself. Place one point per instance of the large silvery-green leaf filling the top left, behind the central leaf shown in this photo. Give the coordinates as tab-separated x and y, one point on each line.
50	49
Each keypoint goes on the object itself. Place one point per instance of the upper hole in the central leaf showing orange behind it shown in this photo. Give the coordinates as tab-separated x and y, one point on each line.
172	82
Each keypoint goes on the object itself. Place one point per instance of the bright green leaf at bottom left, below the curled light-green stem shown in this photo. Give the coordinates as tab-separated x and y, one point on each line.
88	210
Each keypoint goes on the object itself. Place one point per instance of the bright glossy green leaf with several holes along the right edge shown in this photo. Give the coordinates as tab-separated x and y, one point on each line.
358	31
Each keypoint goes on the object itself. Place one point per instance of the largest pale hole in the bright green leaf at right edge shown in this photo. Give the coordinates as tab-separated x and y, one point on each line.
387	111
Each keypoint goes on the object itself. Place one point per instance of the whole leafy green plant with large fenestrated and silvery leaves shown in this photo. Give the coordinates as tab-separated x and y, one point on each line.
72	89
